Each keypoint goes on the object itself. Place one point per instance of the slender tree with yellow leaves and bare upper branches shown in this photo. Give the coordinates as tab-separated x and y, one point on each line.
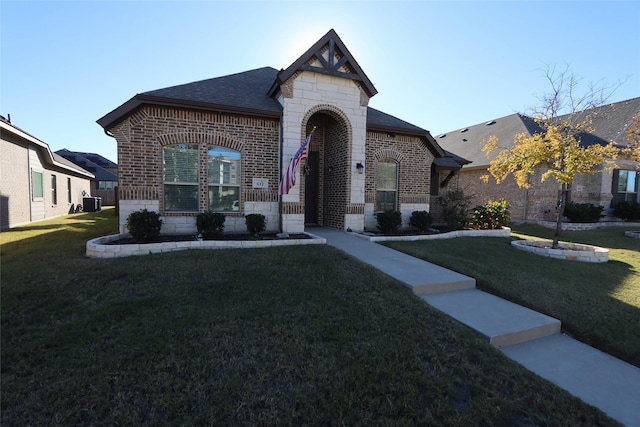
556	151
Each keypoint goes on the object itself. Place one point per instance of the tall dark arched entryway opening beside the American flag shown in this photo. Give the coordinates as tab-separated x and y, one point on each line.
326	174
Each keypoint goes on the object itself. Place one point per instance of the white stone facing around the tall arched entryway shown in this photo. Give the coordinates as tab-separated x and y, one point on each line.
338	109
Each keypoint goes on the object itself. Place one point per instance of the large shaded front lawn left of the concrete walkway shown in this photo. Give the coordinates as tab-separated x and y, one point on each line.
281	336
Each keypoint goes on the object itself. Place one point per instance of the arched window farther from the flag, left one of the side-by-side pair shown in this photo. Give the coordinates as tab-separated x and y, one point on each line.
180	177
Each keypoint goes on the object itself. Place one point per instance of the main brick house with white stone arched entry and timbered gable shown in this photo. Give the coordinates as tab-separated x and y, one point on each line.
222	145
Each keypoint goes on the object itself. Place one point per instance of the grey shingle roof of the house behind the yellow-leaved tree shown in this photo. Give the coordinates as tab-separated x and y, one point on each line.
609	122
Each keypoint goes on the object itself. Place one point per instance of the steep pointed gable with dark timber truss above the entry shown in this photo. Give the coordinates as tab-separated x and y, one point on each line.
331	57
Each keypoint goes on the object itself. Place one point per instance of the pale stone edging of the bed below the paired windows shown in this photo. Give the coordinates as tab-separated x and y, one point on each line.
97	248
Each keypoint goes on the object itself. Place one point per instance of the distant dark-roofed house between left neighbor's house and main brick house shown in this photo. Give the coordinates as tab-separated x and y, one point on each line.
105	171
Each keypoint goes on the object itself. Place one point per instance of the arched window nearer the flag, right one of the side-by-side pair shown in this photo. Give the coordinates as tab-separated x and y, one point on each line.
223	179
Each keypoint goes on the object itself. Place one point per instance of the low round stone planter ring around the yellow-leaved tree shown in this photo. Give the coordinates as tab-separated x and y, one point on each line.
567	251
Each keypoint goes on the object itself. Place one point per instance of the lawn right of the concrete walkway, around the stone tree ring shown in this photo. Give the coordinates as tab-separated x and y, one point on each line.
598	304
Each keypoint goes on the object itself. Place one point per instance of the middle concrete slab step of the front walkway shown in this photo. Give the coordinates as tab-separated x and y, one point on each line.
501	322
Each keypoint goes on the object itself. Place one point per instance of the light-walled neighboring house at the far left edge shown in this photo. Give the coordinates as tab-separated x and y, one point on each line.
35	184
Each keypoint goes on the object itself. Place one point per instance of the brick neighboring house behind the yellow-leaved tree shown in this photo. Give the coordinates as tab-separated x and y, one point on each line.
605	188
